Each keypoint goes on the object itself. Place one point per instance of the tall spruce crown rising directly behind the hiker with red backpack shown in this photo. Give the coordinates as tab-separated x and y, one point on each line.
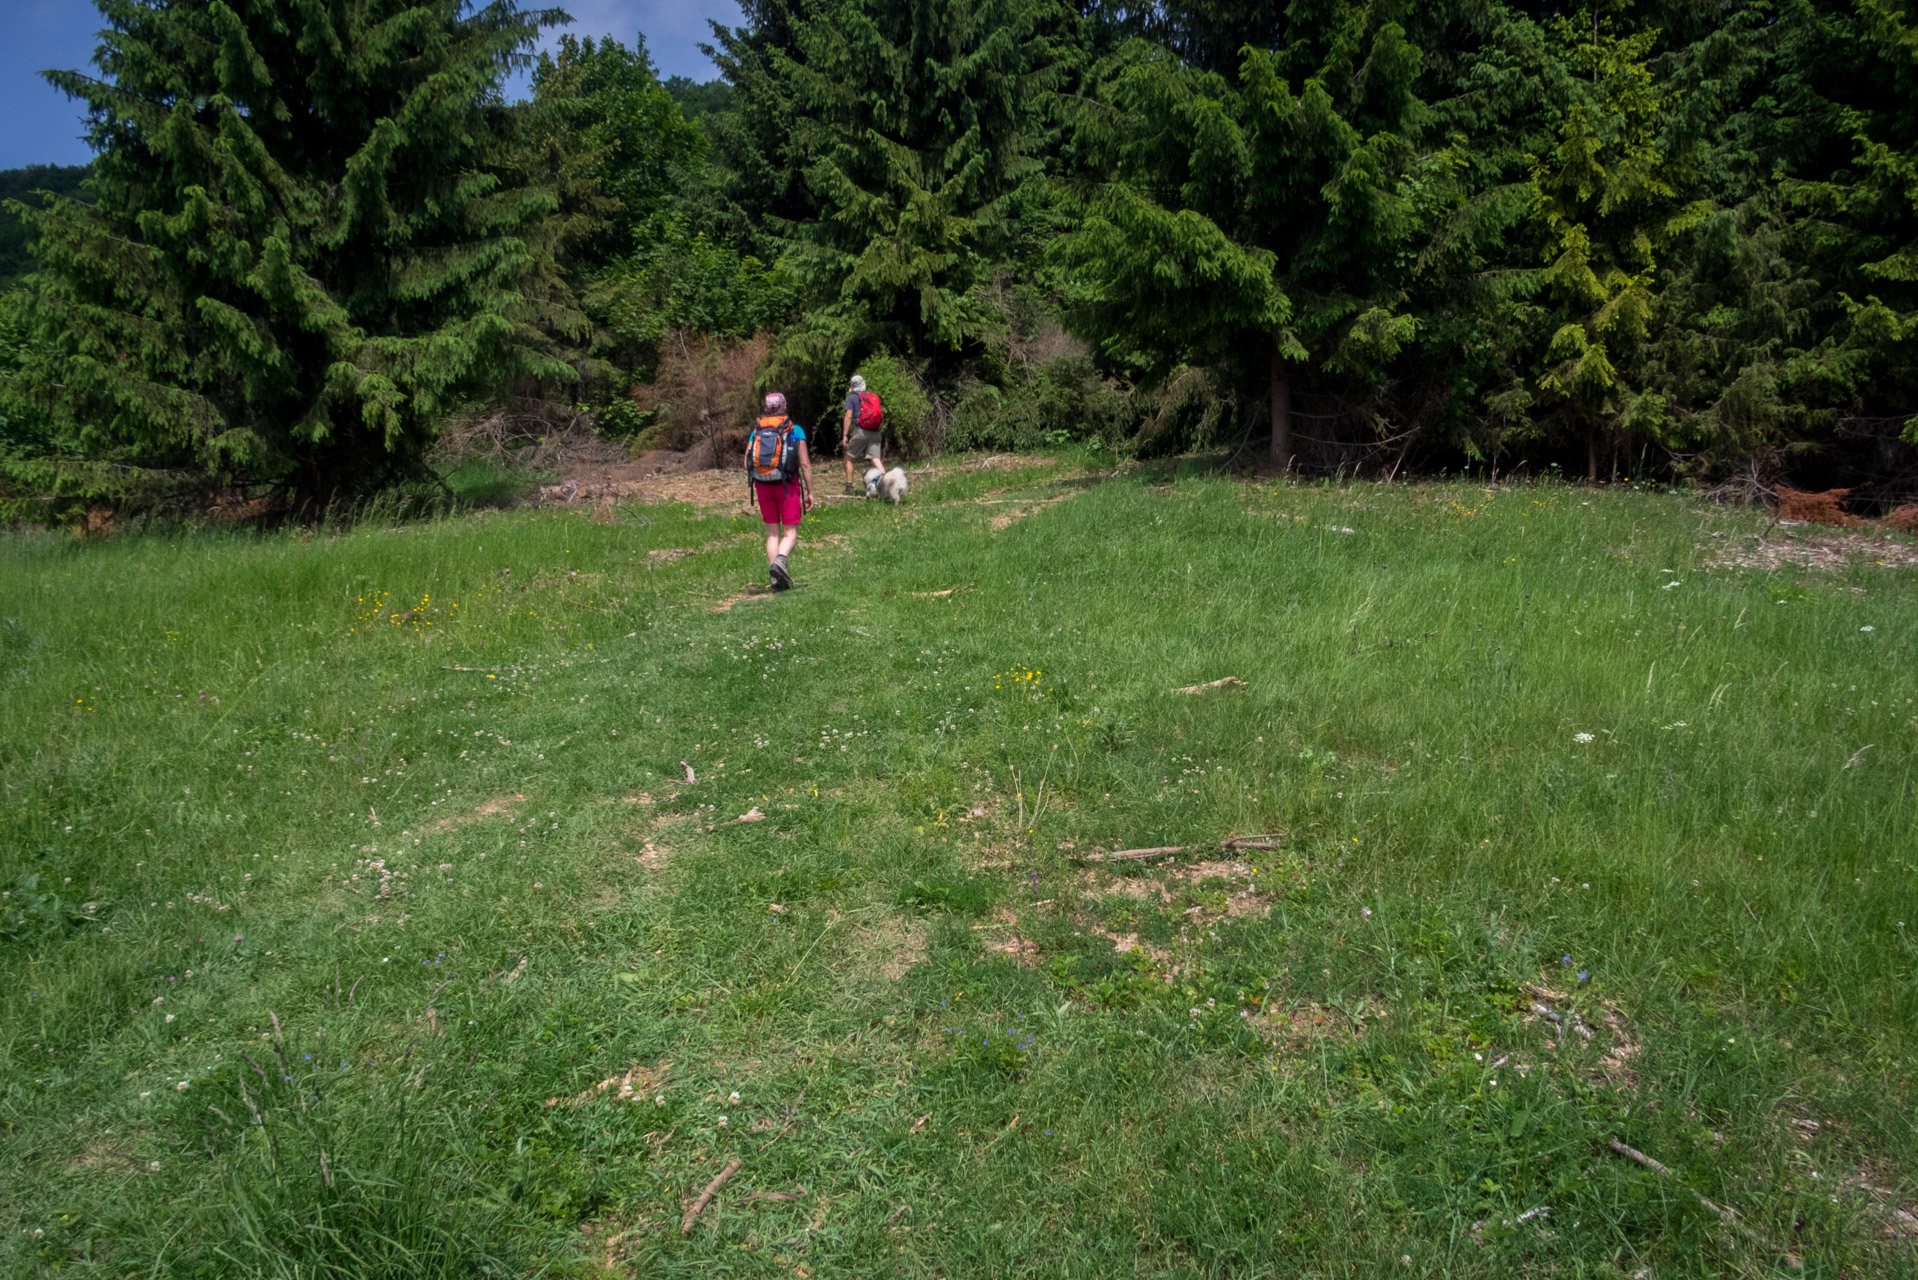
920	120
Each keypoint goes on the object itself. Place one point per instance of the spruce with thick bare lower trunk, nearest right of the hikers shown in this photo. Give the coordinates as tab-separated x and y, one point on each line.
1255	220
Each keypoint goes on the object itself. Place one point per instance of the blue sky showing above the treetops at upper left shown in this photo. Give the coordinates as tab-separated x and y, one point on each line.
41	128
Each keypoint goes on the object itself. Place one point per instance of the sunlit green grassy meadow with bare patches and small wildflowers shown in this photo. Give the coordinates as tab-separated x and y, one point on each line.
379	901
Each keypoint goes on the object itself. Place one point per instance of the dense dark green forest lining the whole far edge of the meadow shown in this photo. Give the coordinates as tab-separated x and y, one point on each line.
1666	239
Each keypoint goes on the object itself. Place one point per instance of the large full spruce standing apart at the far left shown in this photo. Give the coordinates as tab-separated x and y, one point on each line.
306	243
